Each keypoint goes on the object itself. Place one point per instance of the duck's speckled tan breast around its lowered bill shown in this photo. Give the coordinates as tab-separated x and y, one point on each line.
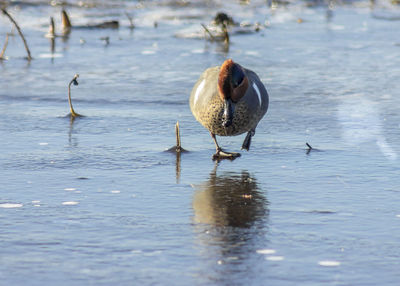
212	119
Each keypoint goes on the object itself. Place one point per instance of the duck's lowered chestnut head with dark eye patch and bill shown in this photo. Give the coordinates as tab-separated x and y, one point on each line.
232	86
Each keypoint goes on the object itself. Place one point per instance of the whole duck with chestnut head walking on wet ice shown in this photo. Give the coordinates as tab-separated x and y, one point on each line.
229	100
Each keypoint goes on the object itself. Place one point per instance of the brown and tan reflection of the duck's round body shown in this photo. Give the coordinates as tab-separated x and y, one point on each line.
232	199
